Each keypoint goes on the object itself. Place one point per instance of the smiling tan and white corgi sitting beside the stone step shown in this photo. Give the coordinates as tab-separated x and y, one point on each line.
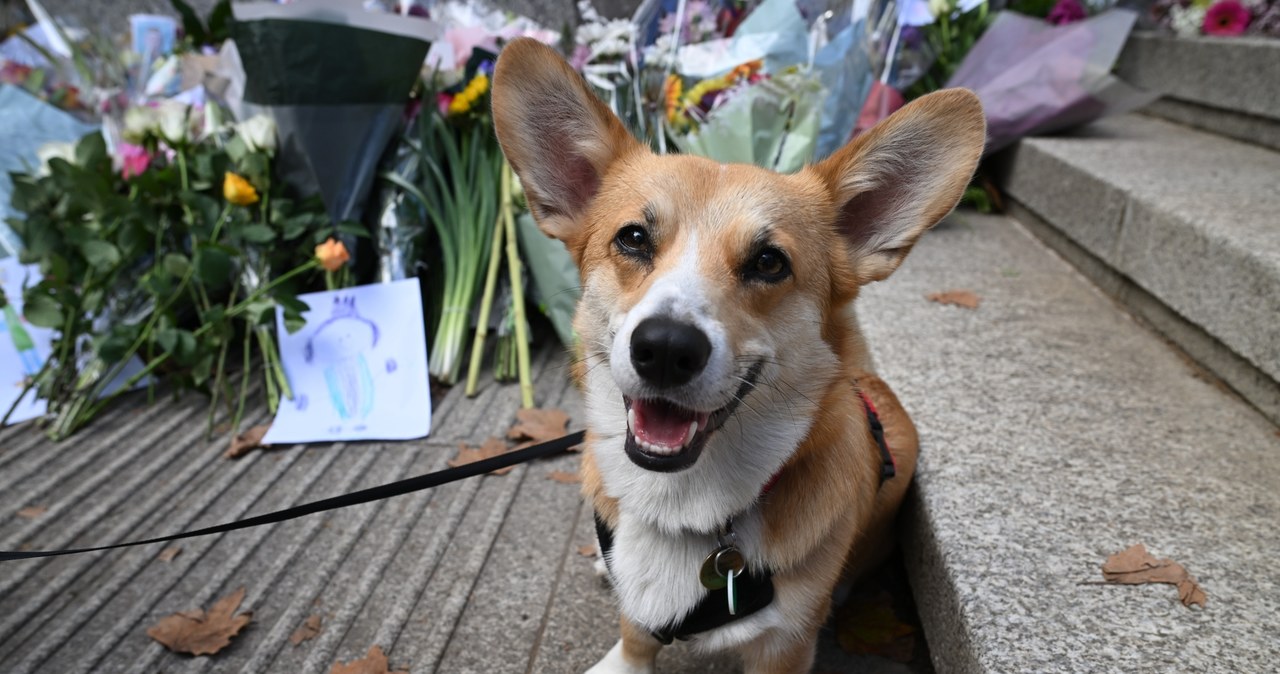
739	442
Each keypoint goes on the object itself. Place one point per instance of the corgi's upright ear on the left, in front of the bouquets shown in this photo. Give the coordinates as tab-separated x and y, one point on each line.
557	135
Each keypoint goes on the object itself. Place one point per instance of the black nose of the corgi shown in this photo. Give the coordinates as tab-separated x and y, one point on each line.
669	354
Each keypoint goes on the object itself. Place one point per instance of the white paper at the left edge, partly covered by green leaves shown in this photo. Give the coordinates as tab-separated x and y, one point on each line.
24	347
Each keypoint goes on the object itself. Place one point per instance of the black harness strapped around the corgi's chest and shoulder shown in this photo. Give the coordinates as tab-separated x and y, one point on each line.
755	588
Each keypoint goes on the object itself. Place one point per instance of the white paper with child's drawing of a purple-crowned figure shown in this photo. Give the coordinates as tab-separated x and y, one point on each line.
358	369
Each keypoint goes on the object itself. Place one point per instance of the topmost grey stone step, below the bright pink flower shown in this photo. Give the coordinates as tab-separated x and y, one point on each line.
1226	85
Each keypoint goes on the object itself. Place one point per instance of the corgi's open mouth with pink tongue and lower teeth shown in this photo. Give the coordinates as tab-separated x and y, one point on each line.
666	438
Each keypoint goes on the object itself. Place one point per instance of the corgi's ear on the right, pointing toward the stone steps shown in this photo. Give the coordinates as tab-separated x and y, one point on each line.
902	177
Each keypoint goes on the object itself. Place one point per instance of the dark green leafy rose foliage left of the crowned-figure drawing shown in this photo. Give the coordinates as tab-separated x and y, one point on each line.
159	267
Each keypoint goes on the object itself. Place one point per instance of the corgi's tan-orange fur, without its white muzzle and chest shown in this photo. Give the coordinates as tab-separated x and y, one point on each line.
844	223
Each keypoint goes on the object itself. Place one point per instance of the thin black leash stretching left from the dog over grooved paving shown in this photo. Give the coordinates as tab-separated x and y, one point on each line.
356	498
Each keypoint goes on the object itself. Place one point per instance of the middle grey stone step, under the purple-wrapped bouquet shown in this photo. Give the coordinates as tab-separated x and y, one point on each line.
1180	224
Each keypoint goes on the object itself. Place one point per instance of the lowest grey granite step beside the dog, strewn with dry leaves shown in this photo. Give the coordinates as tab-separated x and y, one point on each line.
1055	432
